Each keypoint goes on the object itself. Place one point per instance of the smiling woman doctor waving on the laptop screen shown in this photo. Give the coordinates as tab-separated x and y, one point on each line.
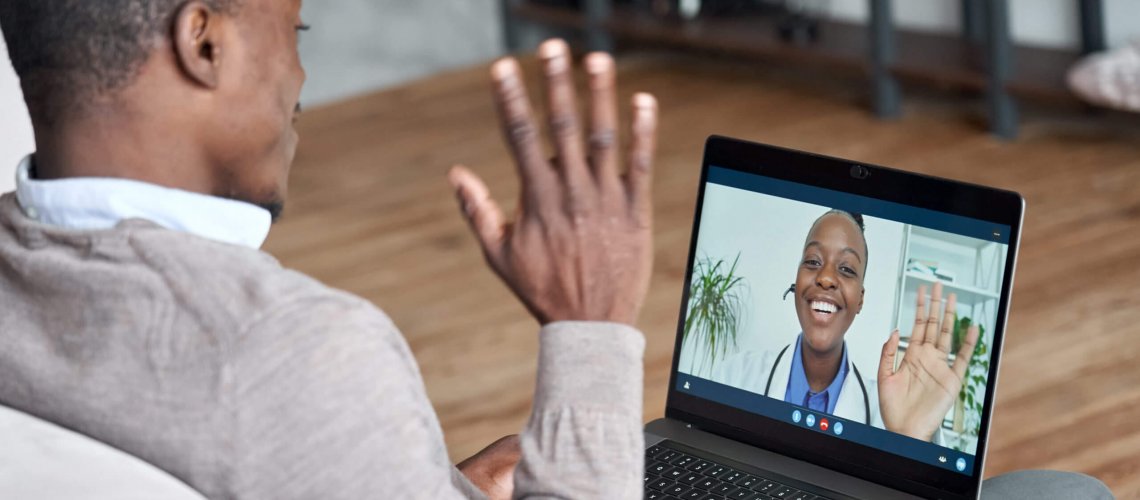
816	373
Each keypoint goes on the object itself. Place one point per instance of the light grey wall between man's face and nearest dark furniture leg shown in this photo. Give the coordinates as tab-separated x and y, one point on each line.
359	46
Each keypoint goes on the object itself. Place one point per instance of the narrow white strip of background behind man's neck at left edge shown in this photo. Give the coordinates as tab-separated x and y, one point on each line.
15	127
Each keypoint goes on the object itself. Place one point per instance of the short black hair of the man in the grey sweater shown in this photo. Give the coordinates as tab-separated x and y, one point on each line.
68	52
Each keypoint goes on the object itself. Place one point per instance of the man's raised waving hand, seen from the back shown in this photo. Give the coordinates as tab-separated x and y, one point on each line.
580	247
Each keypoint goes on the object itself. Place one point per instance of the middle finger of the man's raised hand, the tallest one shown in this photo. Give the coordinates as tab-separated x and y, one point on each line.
563	110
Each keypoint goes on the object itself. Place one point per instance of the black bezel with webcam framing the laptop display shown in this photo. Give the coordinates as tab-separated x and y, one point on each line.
989	204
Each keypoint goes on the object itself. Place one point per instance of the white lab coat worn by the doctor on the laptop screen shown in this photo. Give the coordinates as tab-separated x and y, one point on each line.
752	370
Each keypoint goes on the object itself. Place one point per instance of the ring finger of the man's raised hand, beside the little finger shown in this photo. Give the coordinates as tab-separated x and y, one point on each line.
604	118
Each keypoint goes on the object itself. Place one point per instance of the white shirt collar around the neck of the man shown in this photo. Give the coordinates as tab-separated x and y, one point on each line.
102	203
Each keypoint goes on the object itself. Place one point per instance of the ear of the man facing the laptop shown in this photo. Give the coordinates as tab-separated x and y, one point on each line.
198	43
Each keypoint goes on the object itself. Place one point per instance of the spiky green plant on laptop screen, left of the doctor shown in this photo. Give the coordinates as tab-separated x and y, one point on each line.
716	308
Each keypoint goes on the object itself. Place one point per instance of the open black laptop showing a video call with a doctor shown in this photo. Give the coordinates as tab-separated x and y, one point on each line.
789	381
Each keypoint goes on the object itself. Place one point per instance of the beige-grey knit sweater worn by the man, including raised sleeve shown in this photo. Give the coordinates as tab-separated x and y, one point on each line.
248	381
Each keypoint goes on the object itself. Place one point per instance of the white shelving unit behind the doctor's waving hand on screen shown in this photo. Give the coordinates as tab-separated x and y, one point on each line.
978	268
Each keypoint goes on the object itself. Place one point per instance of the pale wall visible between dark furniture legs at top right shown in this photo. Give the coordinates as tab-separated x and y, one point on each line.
1046	23
